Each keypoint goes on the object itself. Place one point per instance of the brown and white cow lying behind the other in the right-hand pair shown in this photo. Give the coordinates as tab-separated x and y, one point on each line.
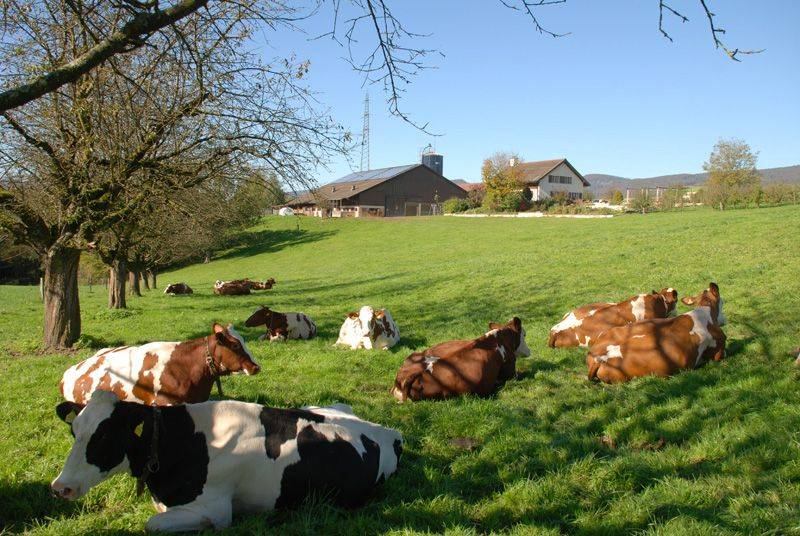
581	326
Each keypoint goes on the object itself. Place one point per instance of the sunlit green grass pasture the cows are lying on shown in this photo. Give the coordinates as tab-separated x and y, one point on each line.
710	451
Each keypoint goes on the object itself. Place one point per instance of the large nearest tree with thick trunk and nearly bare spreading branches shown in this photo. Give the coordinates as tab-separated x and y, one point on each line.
81	165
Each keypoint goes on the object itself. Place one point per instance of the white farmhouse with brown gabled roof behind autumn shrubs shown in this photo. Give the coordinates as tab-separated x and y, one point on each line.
548	177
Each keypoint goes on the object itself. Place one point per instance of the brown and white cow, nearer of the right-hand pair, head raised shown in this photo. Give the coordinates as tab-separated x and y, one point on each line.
661	347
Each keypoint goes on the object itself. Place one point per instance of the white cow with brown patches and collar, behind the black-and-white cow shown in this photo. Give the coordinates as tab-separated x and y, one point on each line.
161	372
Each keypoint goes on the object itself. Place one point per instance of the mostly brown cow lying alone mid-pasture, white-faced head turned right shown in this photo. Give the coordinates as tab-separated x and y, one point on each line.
456	368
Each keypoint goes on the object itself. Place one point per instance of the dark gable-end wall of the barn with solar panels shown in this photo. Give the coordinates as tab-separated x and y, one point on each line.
418	185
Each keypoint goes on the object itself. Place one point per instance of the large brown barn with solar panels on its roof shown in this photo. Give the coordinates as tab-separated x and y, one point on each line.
411	190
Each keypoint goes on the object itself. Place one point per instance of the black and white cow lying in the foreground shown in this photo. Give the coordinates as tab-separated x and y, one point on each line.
216	458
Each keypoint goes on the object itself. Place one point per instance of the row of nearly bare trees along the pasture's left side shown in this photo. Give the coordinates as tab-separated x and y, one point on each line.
151	156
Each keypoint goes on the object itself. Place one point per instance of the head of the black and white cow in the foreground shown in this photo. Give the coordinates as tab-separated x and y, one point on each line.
104	433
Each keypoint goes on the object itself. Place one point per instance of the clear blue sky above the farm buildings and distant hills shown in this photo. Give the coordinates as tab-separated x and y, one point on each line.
614	96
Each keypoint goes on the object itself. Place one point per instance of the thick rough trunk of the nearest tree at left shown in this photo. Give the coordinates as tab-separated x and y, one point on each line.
62	314
